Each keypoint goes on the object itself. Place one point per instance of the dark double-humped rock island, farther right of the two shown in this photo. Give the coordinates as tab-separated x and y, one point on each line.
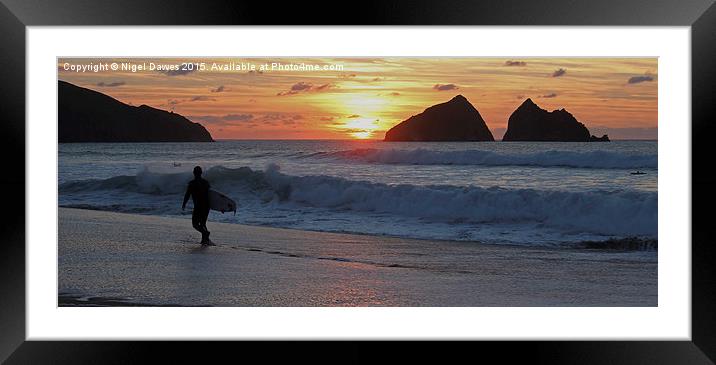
532	123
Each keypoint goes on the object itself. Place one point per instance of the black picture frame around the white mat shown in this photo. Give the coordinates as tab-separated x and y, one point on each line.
700	15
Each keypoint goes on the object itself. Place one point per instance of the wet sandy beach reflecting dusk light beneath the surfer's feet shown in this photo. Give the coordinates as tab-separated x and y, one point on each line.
117	259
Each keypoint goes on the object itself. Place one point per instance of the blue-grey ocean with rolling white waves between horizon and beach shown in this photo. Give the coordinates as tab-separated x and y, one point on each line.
514	193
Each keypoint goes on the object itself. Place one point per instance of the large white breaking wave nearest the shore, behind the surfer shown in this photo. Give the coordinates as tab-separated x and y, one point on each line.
620	213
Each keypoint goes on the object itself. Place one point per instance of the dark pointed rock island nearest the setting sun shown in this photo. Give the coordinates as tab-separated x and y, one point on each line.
455	120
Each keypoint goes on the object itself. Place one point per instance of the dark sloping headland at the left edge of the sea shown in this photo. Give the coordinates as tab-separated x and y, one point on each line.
85	115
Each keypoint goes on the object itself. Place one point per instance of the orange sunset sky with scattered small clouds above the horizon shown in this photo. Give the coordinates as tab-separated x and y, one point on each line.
361	98
